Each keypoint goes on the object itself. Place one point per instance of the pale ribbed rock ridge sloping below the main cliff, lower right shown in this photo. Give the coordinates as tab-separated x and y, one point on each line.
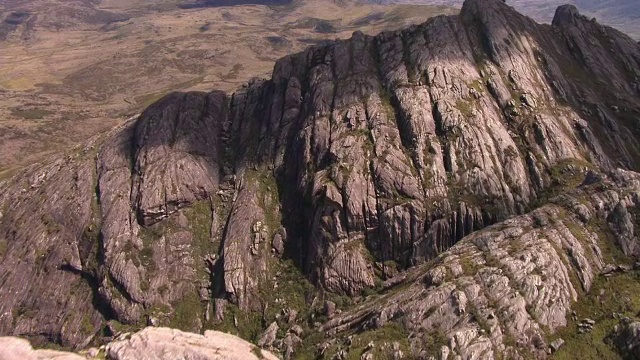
508	283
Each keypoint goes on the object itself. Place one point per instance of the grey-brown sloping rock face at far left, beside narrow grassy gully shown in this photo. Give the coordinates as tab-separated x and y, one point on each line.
46	215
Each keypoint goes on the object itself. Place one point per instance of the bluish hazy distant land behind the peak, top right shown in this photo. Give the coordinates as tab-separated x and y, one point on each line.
622	14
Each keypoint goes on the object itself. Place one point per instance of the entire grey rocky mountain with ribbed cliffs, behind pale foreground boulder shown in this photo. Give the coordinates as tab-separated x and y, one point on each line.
464	188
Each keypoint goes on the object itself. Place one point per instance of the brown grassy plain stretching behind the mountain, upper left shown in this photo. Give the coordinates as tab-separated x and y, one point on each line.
70	69
